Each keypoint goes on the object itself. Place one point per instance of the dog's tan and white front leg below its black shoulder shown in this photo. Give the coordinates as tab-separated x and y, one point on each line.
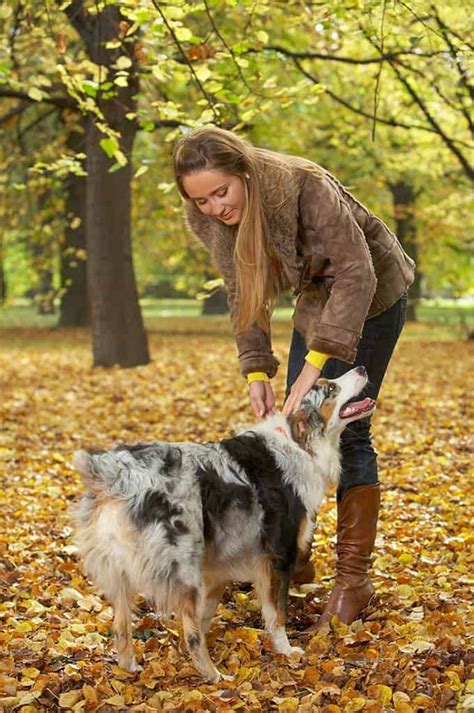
272	589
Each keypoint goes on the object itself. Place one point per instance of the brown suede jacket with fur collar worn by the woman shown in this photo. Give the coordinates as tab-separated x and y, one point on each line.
344	263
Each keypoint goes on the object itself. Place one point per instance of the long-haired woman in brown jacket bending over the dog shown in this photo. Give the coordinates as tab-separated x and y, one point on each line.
272	222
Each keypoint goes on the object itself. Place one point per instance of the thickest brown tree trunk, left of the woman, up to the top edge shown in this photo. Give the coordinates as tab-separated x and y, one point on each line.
117	327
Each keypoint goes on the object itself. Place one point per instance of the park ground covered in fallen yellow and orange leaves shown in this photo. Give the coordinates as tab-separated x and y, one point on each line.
411	653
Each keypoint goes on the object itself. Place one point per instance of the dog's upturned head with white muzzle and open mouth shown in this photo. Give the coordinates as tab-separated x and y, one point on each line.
330	406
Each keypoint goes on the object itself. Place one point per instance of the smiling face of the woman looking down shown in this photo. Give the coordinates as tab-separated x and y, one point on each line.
217	194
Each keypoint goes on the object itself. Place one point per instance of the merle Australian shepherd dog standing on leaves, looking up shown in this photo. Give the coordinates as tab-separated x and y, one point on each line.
178	521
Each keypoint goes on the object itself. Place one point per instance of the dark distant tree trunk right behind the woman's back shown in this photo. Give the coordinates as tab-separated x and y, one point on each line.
404	199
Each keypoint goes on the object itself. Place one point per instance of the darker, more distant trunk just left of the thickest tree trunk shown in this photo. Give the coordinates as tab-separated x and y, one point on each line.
74	309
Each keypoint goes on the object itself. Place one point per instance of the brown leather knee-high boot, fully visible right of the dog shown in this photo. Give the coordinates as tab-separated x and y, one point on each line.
357	515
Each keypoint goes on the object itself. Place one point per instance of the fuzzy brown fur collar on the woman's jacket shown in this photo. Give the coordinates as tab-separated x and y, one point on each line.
280	187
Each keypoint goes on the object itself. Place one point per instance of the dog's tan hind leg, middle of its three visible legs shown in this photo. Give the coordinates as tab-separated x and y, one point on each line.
192	611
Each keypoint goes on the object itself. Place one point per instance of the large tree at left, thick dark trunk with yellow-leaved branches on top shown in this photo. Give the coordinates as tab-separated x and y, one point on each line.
118	332
